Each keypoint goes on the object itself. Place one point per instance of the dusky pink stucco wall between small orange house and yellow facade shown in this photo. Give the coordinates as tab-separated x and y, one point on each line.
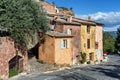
75	32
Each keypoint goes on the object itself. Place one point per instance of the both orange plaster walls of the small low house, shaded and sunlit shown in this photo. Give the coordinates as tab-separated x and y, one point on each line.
50	50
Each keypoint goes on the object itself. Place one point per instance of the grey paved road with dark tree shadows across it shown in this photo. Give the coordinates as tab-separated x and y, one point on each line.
105	71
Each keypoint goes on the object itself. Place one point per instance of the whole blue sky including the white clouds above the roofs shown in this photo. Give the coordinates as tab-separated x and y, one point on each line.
104	11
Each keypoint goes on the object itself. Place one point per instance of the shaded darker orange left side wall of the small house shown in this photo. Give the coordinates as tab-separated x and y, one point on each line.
47	50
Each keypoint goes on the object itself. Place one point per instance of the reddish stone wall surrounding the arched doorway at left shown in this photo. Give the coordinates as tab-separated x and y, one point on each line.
7	52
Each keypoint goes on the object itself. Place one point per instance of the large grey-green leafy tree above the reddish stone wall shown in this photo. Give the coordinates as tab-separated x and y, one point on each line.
22	18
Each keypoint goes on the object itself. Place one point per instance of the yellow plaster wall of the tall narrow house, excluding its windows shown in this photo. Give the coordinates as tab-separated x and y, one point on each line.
84	36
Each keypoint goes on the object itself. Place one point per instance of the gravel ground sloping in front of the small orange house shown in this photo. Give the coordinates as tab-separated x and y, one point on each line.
40	67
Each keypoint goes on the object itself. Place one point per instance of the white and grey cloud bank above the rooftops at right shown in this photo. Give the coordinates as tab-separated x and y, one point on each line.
111	20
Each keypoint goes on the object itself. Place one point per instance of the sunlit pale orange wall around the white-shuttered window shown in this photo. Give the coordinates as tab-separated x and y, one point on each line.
63	55
